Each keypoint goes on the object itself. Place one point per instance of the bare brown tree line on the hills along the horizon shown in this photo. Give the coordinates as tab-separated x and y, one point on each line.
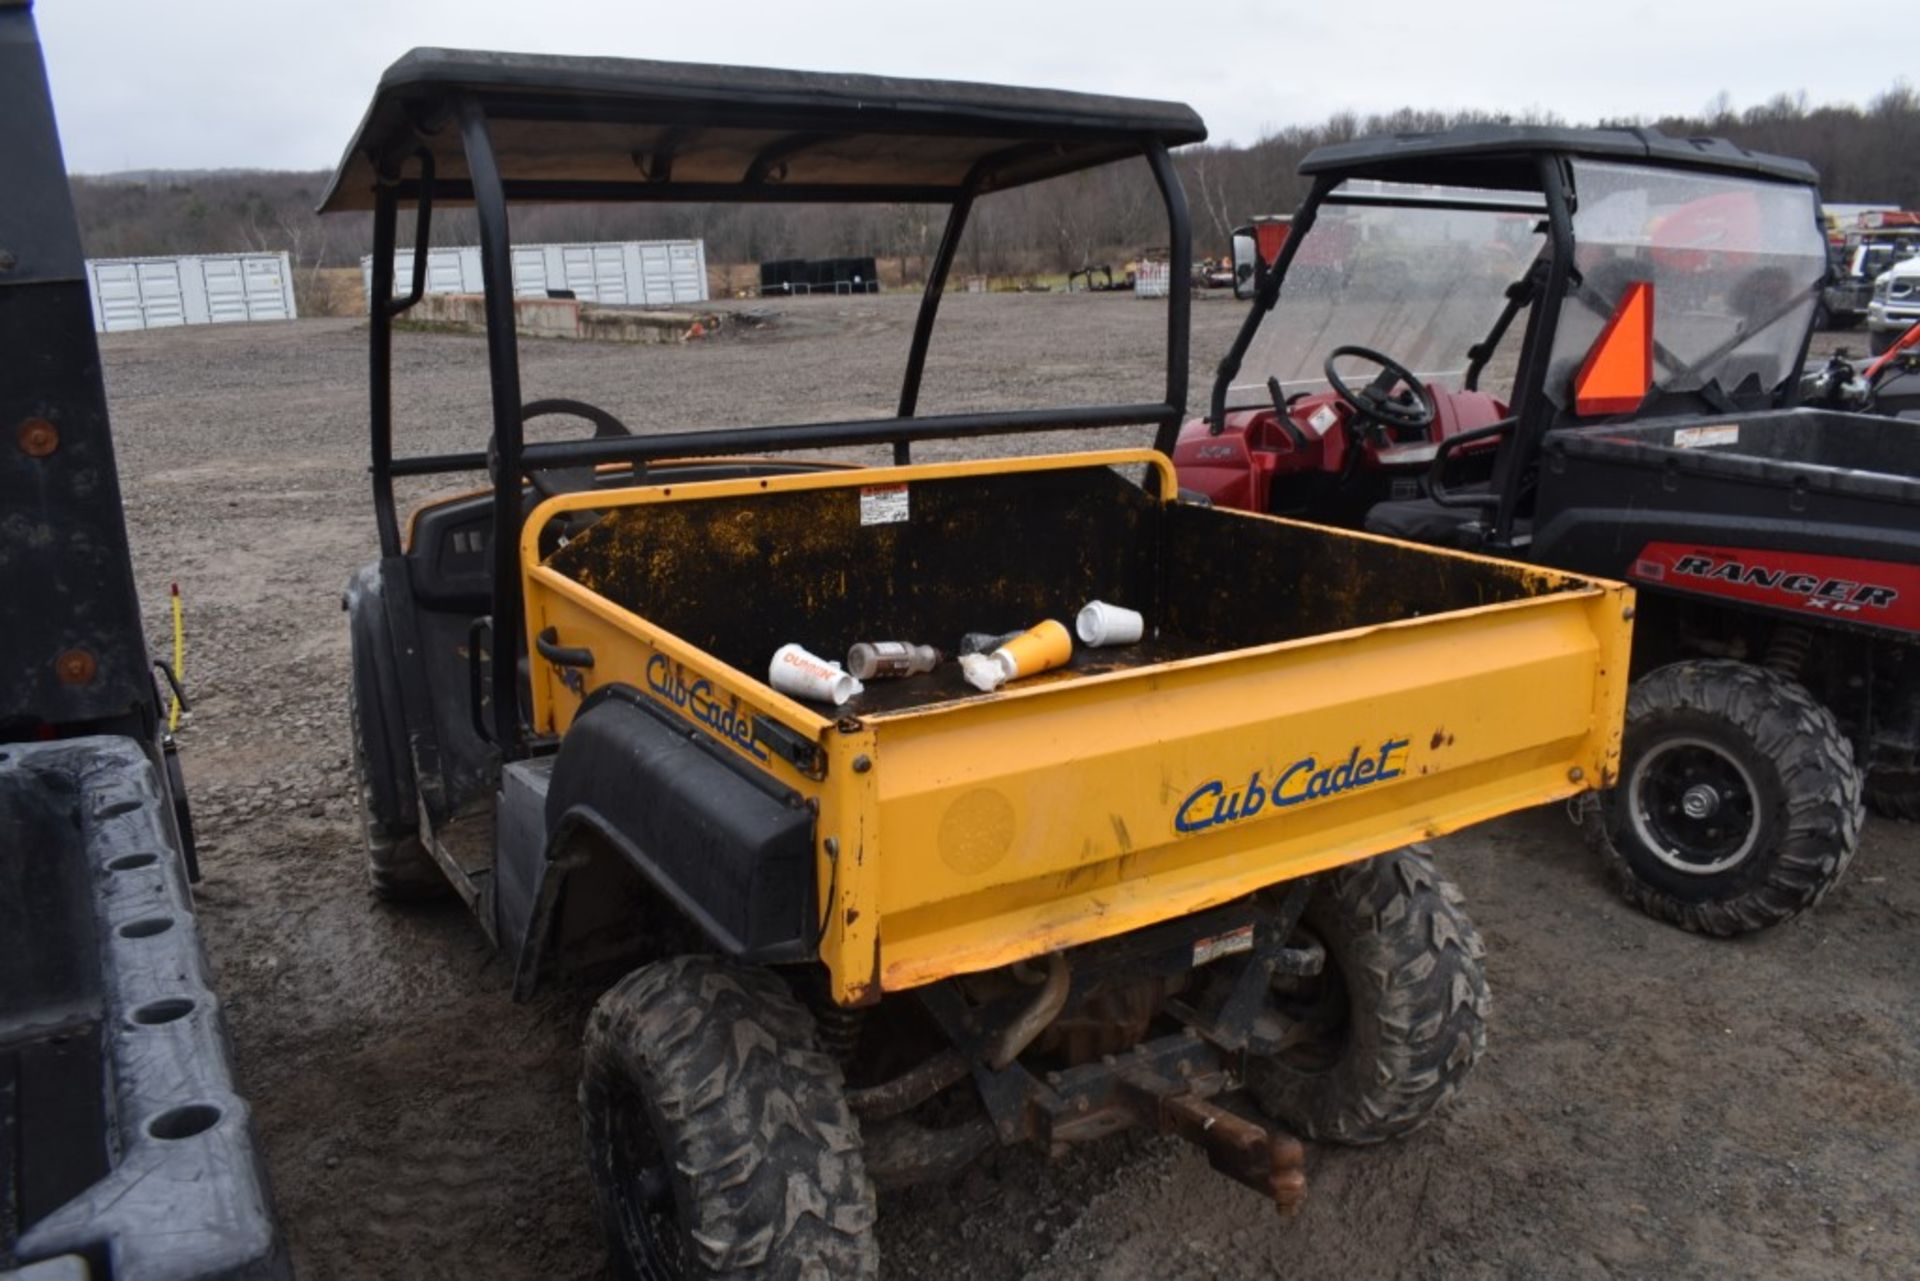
1107	216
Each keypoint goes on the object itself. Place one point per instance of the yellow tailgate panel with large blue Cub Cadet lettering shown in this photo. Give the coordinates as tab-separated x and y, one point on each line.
1103	806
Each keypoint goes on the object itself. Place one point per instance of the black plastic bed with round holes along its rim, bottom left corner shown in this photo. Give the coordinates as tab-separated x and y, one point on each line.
122	1138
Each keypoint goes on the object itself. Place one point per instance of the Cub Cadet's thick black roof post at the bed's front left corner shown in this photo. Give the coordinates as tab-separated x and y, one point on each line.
504	374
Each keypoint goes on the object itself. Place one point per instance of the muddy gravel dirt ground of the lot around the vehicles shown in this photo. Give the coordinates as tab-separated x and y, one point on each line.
1650	1105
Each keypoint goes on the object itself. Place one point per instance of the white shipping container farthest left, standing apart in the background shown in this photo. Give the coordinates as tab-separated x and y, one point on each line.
203	289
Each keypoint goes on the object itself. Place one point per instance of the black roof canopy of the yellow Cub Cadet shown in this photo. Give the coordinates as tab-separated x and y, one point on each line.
631	130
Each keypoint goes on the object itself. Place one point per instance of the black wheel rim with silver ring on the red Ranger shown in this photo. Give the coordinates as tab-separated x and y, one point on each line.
1694	808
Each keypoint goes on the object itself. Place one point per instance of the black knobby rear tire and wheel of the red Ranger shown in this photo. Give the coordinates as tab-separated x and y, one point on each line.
1739	804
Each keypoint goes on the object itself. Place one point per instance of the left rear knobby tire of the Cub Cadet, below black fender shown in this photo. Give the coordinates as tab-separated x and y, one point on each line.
719	1136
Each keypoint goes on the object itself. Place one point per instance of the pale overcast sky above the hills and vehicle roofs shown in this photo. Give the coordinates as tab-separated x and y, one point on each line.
281	84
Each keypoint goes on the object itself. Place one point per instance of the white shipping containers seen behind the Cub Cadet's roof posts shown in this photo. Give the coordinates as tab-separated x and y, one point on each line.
642	274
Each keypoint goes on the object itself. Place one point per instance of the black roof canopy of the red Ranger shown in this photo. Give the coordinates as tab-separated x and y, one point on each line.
1508	157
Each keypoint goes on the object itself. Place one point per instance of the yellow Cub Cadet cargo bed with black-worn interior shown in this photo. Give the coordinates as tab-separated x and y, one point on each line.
1305	696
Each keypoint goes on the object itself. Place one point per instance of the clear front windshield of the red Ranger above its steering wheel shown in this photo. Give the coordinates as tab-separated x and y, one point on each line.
1418	274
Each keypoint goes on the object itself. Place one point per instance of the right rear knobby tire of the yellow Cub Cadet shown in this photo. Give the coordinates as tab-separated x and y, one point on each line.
1397	1019
